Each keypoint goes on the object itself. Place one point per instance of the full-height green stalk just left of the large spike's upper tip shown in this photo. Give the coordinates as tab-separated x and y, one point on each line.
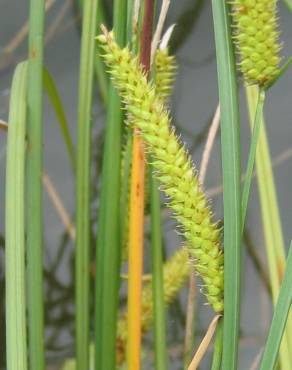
83	182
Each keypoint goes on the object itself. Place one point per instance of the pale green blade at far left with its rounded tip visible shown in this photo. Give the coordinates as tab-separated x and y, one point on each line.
16	346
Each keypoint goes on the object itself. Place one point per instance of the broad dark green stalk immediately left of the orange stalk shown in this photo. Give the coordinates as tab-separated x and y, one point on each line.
108	250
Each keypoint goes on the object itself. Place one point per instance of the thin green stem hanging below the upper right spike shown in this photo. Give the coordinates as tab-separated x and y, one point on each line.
252	155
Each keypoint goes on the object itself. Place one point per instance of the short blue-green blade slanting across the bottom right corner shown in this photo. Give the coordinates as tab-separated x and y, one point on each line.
279	319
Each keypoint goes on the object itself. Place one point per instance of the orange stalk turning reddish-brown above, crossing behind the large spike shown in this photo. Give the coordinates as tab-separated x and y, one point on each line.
136	222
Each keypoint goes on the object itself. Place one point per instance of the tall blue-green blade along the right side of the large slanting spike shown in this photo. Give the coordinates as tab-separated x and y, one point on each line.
230	144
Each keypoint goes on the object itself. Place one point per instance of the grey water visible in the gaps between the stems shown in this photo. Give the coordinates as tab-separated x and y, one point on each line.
193	103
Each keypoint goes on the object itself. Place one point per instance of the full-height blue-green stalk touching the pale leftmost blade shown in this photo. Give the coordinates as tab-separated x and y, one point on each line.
34	207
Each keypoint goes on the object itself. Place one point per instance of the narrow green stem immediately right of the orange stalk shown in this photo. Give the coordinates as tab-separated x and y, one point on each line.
157	278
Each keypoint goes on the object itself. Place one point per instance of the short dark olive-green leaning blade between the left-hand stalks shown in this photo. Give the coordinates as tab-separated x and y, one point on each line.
56	102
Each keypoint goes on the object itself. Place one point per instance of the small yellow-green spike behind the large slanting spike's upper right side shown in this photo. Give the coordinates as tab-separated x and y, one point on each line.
165	69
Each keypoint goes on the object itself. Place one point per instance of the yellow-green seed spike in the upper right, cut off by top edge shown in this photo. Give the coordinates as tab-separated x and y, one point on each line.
256	36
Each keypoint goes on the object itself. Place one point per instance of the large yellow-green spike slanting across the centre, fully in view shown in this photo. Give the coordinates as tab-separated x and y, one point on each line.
173	166
